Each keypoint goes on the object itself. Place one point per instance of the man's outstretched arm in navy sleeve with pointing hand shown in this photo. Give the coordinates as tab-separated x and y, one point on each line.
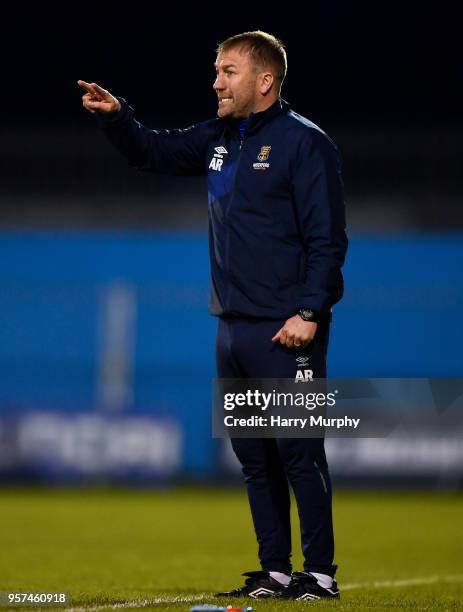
177	152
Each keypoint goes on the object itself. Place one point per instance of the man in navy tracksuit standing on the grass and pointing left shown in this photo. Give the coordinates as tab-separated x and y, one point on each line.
277	245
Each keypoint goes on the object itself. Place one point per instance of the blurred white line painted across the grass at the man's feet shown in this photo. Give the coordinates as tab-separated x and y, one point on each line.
144	603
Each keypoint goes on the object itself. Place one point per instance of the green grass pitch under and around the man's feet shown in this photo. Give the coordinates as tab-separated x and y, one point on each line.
108	547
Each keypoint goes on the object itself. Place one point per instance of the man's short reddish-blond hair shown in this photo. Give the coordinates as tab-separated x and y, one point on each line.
265	50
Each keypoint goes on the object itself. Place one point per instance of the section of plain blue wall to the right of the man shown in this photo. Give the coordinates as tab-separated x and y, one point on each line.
401	315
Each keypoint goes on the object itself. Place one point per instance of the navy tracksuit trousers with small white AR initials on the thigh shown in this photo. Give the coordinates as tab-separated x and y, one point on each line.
244	350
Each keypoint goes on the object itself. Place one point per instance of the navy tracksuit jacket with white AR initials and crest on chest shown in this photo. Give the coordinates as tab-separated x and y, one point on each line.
276	208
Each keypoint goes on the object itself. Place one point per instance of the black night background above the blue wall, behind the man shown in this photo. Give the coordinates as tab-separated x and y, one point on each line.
384	79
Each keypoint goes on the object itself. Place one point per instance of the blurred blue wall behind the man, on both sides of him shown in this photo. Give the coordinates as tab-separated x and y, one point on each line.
107	331
